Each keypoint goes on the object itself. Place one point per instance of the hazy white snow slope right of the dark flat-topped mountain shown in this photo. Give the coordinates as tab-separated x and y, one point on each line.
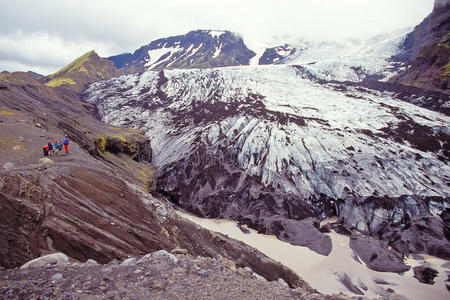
353	60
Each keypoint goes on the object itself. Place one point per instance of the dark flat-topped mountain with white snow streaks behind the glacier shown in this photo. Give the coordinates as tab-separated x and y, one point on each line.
196	49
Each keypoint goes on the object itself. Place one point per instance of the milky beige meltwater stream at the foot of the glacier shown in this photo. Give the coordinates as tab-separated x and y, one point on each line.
324	272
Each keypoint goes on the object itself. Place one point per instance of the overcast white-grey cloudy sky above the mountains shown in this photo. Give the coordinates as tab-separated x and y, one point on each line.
45	35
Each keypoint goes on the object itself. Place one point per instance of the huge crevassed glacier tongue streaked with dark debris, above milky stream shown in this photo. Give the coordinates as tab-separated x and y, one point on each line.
272	145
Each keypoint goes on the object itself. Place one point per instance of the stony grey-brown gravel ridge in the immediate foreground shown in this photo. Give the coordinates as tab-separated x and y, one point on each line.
157	275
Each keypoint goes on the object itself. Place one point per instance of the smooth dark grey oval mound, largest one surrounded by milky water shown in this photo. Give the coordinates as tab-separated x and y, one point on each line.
376	256
